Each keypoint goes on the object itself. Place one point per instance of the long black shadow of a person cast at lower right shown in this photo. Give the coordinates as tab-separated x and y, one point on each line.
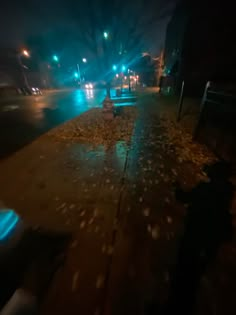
208	224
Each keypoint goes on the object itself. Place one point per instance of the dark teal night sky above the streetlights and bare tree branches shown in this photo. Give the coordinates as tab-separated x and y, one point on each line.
57	21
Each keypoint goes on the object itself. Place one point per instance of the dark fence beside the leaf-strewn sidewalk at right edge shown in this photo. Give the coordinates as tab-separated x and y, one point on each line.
216	126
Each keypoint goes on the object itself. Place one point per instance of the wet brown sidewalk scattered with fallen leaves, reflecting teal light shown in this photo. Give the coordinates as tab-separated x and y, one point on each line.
120	205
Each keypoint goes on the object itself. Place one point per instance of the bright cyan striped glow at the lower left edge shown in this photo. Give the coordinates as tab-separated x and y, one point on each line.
8	221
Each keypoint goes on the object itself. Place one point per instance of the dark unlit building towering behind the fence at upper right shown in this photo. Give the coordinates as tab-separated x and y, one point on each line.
200	44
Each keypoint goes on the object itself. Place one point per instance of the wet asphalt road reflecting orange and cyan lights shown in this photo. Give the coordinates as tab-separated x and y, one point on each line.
23	119
